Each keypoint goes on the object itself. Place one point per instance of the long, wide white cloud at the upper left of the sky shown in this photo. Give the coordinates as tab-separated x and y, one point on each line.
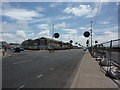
21	14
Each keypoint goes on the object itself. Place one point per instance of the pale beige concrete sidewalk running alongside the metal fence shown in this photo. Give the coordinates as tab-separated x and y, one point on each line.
89	75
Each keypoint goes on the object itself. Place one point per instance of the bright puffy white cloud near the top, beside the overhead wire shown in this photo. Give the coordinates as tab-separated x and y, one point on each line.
83	10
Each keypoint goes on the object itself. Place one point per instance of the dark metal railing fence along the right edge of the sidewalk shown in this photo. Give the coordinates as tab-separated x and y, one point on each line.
108	56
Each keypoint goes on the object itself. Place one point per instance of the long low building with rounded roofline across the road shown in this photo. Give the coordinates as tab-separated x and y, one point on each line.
43	44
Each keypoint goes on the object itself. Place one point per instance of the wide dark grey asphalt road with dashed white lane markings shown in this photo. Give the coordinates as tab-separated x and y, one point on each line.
40	69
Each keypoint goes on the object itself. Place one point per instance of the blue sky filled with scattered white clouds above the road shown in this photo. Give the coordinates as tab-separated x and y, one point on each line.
31	20
